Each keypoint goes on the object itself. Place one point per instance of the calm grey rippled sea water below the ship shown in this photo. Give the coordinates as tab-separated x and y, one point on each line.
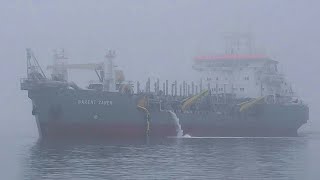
172	158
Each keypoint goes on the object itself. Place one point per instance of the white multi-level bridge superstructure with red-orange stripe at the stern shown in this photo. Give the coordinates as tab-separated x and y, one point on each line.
243	75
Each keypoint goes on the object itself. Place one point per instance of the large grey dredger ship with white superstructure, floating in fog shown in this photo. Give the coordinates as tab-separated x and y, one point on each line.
238	95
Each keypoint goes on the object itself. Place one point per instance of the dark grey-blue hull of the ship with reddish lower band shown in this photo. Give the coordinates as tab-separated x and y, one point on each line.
82	113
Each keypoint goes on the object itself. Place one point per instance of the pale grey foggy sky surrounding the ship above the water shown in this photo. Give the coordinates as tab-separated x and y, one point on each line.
152	38
